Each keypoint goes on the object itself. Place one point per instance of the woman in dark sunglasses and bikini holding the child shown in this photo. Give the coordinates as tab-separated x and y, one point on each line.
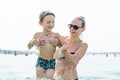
71	52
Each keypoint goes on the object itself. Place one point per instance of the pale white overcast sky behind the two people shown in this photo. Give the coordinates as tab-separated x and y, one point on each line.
19	21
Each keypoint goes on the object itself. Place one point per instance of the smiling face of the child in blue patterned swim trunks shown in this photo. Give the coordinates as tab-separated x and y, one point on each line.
48	23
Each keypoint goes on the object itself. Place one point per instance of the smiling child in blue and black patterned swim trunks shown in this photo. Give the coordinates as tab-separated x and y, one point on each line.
46	42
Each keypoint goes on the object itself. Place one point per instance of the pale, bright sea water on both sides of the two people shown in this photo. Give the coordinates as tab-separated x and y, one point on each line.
90	67
